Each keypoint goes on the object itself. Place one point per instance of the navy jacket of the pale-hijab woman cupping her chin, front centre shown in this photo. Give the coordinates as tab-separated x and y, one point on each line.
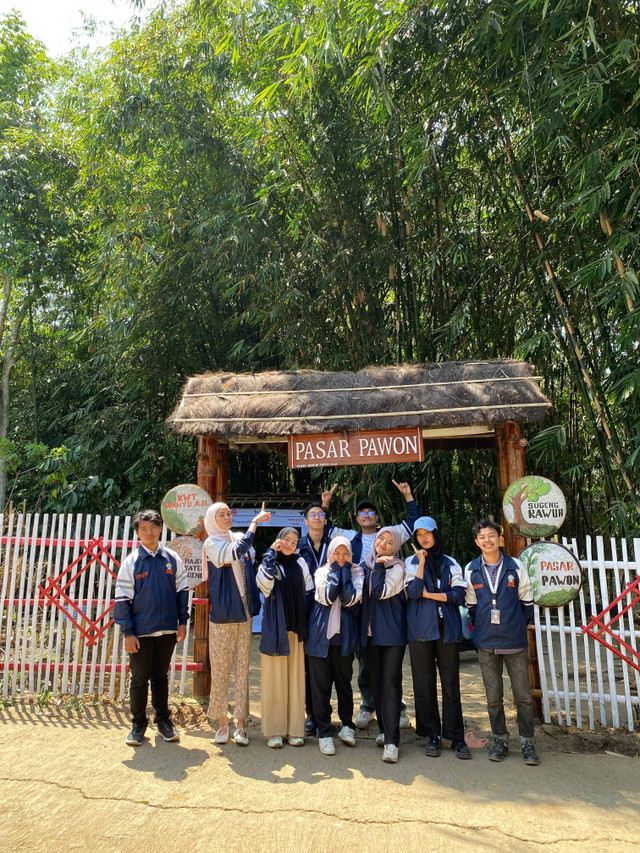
333	582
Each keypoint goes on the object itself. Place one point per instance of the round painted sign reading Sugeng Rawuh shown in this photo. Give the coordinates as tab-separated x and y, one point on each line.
534	506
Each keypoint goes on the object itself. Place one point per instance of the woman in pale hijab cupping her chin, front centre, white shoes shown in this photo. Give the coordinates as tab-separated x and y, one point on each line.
333	639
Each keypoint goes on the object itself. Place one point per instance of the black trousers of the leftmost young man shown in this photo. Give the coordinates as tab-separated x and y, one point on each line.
151	664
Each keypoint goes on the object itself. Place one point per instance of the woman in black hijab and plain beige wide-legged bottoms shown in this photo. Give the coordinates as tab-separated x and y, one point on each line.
284	579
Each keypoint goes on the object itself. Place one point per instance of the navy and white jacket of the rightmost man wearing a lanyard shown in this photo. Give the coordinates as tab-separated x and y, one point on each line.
515	612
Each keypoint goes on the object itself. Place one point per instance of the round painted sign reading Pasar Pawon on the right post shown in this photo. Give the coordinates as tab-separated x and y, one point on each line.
555	572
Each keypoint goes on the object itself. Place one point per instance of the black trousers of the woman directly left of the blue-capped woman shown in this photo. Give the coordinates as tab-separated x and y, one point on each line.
385	666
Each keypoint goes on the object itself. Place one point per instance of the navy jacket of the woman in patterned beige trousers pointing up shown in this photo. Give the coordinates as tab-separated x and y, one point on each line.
226	600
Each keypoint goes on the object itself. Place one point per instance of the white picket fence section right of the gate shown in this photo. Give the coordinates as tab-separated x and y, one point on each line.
583	682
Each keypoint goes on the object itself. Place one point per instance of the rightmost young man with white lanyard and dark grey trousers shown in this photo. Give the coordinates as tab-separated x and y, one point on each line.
500	604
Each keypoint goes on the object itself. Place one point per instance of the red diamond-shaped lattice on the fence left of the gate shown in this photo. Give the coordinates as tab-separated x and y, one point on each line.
54	591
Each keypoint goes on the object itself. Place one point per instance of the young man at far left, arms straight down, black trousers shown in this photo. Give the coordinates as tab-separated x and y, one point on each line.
152	594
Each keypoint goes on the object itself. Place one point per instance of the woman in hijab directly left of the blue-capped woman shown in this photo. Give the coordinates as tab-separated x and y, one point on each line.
383	633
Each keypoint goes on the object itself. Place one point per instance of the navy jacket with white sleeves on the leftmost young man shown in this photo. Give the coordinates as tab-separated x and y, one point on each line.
152	593
